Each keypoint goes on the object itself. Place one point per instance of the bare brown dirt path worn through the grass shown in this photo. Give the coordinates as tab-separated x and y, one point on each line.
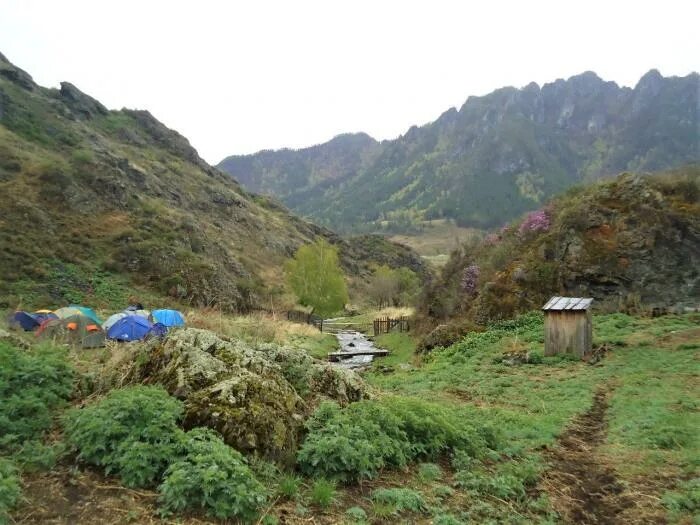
581	487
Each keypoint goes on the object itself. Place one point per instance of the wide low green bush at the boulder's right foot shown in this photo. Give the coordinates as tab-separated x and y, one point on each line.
358	441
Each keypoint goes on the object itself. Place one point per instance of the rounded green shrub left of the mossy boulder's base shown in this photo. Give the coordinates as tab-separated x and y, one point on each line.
132	432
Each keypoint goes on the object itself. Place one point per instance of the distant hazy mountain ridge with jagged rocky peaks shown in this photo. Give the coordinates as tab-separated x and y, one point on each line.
497	157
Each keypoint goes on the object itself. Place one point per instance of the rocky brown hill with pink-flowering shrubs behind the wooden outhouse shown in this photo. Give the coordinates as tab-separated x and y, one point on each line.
631	243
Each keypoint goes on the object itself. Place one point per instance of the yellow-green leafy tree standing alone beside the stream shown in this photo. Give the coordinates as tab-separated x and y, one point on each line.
315	277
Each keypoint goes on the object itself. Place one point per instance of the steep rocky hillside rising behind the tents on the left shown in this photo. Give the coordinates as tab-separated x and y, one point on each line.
96	203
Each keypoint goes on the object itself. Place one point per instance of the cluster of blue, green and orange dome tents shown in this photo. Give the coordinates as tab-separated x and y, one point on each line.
80	325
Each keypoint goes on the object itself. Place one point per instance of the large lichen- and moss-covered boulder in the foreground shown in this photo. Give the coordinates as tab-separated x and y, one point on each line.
257	397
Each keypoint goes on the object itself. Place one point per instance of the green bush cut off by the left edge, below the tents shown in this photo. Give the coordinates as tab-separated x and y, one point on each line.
33	384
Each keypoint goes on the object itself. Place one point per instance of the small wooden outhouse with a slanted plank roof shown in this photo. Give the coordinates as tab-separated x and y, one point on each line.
568	326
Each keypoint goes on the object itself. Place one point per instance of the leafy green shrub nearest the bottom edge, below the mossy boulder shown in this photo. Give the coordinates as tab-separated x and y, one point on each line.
211	476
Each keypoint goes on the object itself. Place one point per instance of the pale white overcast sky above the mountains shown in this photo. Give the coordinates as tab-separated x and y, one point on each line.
237	77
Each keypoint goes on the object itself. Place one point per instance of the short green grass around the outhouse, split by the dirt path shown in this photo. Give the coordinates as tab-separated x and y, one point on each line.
652	372
